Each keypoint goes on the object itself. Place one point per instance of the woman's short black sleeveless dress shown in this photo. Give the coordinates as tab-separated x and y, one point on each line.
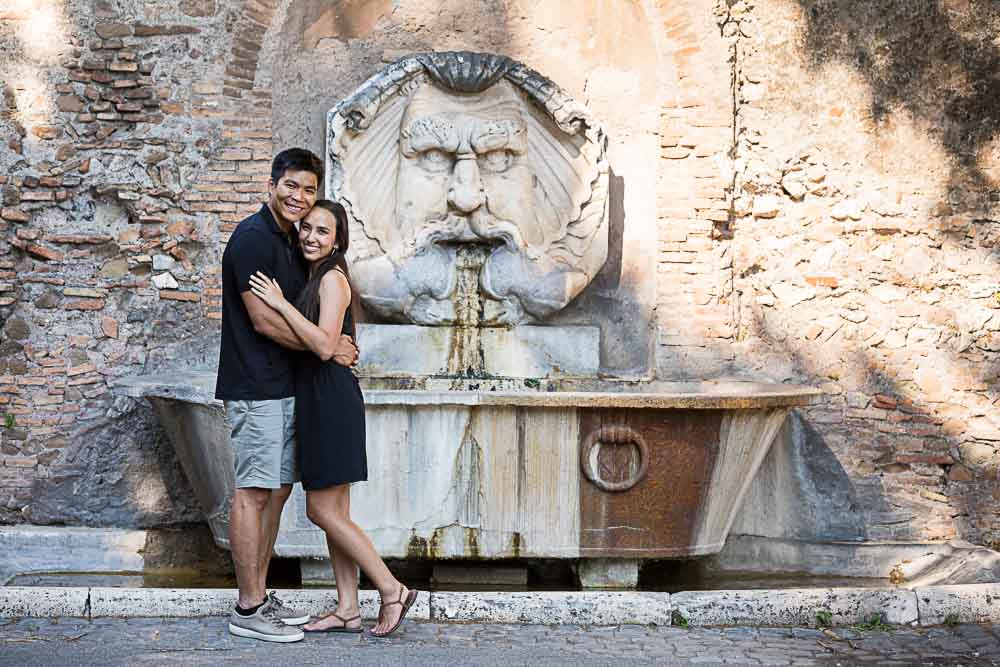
329	422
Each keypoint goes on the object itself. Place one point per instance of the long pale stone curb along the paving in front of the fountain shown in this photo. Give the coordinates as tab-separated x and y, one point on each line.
933	605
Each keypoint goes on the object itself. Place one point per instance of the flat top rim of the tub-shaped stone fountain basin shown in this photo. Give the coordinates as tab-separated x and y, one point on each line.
198	387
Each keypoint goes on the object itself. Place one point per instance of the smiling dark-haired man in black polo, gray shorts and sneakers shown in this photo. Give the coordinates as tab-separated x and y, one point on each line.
256	381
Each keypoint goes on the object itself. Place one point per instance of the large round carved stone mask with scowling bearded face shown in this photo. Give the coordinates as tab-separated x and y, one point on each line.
476	190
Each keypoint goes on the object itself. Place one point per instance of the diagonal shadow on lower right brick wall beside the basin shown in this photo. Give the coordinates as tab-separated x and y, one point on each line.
898	436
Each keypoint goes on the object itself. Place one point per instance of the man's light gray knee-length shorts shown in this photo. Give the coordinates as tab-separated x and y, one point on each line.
263	435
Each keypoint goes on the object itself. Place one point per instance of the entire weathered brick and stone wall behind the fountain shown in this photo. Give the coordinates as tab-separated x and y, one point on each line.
799	191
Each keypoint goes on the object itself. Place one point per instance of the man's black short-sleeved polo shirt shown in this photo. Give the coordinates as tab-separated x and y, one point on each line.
252	367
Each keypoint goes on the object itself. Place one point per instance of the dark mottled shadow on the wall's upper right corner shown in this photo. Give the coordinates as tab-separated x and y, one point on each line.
940	65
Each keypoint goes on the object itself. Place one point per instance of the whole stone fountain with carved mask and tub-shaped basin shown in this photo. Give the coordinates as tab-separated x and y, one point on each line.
477	193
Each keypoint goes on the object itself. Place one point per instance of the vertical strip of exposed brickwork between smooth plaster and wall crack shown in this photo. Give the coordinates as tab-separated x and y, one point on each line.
694	271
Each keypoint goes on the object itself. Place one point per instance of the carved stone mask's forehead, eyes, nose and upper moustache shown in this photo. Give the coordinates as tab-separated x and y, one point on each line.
464	174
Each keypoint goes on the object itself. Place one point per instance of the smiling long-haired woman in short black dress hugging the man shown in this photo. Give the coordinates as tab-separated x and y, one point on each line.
330	421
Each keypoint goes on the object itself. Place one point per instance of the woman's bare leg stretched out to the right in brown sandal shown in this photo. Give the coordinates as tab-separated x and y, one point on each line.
351	542
